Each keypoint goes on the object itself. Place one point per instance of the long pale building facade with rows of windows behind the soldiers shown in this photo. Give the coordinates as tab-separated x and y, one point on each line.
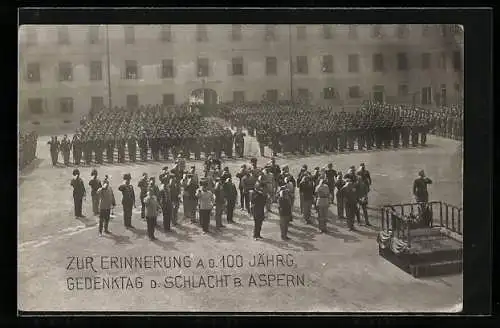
66	70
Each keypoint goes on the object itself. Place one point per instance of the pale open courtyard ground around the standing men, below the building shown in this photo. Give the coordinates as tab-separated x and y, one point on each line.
342	270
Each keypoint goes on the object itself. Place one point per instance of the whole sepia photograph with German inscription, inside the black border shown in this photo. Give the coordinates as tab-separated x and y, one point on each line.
240	168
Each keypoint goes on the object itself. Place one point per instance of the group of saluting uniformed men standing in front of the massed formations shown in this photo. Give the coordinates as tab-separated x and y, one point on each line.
258	187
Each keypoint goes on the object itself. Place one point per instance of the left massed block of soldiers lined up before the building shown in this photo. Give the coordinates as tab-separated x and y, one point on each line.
152	132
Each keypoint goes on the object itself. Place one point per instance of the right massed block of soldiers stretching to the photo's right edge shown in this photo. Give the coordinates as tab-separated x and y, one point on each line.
287	128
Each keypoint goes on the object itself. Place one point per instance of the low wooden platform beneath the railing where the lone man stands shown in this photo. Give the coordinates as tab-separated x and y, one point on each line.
431	252
